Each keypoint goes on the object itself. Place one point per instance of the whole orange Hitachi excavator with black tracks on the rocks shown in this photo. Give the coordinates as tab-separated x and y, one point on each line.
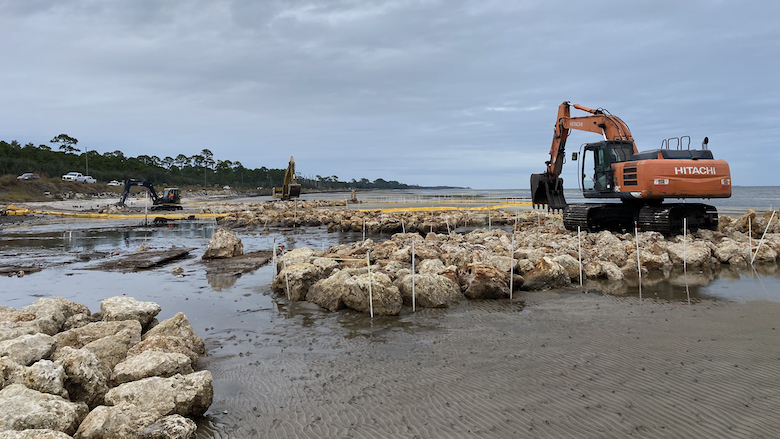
614	168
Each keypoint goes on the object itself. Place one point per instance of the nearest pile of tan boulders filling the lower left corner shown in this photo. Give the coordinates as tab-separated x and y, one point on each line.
119	373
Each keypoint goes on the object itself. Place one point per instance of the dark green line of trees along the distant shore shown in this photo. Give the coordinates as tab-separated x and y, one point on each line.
195	170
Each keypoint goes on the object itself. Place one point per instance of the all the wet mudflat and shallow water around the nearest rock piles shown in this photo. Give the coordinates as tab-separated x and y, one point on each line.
555	364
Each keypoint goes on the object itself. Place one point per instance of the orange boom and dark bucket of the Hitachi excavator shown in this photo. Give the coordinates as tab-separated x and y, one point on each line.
547	188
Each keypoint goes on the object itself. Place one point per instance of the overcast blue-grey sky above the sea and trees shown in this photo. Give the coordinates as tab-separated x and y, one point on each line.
456	93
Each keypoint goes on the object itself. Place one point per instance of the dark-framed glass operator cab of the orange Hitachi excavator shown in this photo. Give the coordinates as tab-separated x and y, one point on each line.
597	179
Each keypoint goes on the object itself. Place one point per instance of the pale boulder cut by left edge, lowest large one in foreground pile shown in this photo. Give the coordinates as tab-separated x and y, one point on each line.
22	408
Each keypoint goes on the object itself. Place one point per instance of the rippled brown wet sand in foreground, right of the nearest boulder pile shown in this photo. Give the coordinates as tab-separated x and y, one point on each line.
565	365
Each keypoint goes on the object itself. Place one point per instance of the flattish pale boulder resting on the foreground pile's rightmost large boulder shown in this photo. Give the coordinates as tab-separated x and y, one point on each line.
152	363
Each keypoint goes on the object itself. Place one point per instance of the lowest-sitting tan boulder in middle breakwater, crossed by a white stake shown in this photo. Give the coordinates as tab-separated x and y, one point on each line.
385	297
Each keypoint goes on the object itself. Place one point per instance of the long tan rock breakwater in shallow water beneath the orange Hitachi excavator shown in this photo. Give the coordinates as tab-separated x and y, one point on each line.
478	265
